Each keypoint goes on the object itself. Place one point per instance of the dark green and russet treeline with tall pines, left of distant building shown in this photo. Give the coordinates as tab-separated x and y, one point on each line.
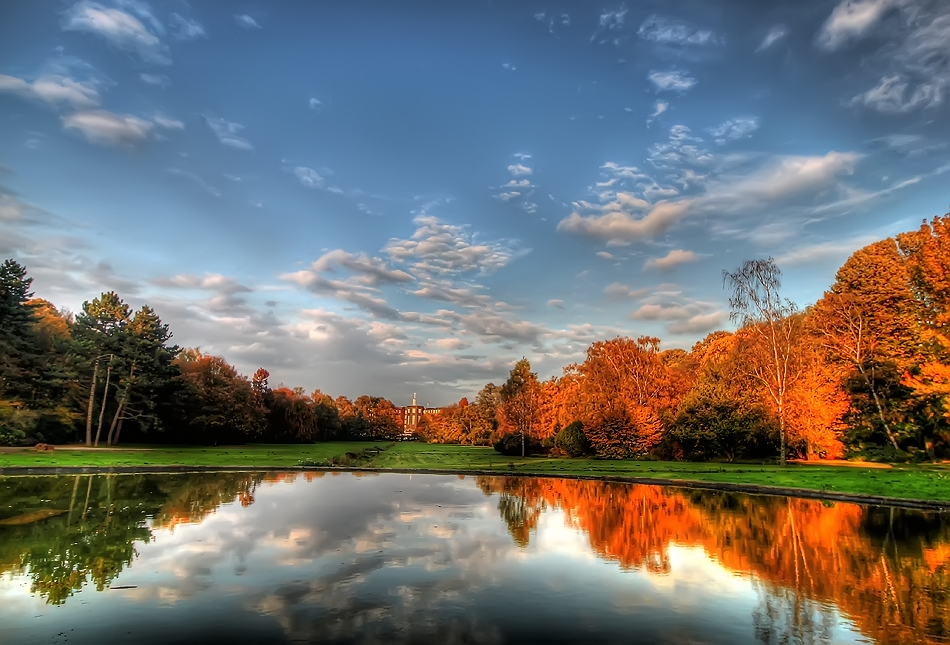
108	372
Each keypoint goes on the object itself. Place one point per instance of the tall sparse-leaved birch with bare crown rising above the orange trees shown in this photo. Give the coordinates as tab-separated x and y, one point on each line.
770	327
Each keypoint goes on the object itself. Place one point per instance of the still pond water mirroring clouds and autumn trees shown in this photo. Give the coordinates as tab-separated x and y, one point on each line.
348	558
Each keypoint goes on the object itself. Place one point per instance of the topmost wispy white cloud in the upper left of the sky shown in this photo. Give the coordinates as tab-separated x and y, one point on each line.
122	30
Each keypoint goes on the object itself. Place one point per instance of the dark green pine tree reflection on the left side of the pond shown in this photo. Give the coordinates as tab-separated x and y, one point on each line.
66	532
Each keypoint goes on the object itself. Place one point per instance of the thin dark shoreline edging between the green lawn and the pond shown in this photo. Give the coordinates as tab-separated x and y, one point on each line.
754	489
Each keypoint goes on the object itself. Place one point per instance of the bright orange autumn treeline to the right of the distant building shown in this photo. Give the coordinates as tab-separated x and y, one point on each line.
865	372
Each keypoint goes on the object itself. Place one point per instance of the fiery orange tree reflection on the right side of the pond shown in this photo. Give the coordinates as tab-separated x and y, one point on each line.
887	569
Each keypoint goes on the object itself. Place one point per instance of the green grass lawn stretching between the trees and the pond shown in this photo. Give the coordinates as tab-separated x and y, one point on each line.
900	481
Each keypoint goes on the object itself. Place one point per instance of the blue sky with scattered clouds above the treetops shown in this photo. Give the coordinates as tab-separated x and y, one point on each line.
389	198
